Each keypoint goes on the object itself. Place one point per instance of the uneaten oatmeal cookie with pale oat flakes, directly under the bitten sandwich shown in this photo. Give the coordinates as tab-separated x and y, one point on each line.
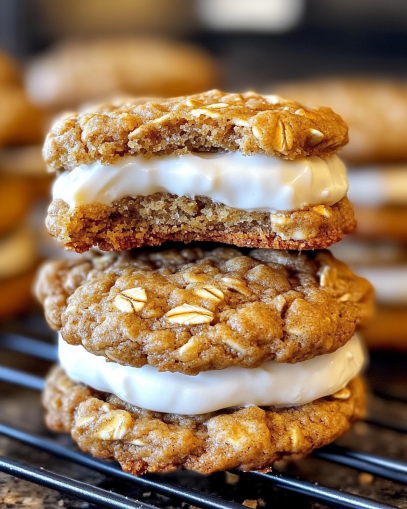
190	311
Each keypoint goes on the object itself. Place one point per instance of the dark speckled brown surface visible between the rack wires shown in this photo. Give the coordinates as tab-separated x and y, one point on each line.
21	408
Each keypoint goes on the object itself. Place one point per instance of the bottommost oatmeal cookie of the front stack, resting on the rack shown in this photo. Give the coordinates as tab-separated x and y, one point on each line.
250	438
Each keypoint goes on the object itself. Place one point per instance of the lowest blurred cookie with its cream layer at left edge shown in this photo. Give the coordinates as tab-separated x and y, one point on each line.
18	263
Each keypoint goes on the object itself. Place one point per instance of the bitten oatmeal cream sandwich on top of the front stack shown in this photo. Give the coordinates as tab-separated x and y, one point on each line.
249	170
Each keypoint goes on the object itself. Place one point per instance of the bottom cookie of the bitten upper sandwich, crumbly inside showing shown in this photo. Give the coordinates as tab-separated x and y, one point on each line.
152	220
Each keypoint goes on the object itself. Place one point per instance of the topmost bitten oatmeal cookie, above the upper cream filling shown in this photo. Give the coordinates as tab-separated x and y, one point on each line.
205	122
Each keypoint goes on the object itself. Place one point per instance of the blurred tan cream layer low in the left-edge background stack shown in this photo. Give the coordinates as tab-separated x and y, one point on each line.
17	252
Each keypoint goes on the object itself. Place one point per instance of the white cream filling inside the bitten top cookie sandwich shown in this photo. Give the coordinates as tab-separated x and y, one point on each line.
252	183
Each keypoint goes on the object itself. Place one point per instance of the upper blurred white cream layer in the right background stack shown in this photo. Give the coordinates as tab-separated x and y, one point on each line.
378	185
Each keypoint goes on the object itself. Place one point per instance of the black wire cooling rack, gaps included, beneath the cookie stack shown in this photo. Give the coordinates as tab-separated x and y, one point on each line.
377	480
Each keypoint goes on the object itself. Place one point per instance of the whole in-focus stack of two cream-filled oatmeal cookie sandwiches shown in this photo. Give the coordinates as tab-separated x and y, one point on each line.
203	357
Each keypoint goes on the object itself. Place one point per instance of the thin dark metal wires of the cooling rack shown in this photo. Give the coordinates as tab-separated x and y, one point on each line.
393	470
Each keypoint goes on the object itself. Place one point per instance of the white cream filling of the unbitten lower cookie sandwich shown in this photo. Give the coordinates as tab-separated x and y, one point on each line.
272	383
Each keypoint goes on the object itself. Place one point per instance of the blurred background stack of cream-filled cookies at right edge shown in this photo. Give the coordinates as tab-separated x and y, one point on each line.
376	111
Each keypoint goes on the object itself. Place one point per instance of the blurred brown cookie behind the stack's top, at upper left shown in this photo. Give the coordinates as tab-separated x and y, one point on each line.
75	71
